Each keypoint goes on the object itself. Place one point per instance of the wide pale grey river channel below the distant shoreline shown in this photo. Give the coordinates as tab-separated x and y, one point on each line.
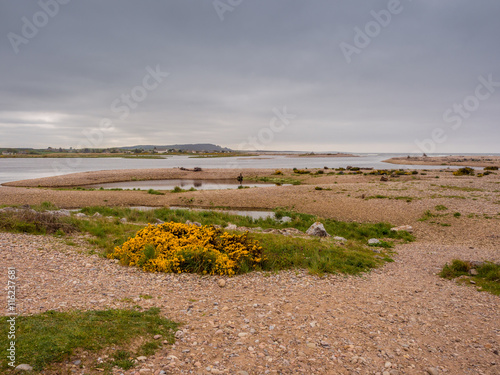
22	169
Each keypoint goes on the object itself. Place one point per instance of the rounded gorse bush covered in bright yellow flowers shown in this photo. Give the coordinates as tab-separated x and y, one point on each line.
177	247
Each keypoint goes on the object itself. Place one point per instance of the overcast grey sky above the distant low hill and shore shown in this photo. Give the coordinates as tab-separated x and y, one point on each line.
361	76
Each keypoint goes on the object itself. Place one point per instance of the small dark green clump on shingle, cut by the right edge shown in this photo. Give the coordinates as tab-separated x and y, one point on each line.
486	275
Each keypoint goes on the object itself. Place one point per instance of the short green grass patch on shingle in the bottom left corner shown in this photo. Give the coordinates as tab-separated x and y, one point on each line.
53	337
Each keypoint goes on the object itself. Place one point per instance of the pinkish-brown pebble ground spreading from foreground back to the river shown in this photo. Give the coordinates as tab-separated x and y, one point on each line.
400	319
